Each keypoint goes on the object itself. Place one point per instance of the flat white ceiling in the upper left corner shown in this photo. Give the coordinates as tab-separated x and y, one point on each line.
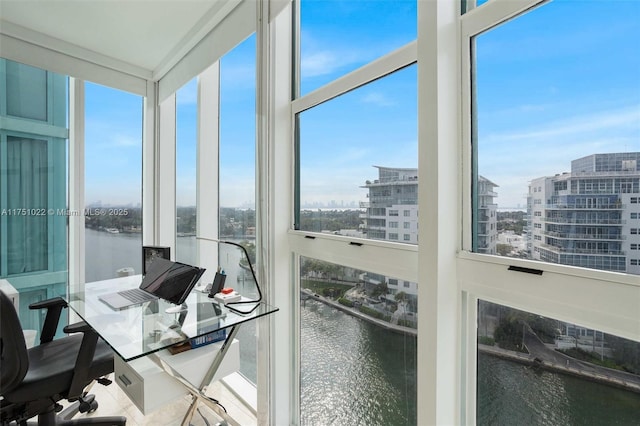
148	34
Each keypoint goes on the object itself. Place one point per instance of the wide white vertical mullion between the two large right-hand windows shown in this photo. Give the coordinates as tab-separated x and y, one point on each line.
439	330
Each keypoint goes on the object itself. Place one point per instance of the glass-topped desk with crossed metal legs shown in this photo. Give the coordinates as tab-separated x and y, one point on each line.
147	329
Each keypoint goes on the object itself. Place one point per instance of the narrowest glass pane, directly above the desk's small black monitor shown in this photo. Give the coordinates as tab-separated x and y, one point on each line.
186	148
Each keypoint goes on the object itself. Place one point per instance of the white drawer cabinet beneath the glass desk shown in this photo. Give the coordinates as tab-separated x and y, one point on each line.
150	387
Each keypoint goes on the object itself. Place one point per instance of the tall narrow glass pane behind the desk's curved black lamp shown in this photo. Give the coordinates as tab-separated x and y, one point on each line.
237	175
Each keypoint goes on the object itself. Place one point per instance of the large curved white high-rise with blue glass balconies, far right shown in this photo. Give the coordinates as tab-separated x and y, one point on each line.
589	217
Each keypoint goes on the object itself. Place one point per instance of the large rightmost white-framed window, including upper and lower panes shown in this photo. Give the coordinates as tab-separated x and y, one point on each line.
553	158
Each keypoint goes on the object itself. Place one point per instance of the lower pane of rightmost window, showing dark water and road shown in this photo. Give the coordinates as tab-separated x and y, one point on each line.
545	371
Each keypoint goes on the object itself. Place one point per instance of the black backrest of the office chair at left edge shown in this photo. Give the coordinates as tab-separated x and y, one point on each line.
14	359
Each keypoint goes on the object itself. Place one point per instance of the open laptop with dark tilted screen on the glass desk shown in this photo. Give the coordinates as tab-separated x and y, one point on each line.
171	281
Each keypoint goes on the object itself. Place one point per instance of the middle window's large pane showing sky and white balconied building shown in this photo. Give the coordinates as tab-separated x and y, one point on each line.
358	161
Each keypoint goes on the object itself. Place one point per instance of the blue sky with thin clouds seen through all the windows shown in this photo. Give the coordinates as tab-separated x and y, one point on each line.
555	85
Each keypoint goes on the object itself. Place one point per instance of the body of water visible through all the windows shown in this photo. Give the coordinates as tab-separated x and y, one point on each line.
354	373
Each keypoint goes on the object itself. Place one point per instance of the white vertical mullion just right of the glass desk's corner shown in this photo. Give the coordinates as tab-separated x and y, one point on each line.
274	210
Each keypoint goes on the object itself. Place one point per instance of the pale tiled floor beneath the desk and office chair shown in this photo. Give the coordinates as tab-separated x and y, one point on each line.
112	401
